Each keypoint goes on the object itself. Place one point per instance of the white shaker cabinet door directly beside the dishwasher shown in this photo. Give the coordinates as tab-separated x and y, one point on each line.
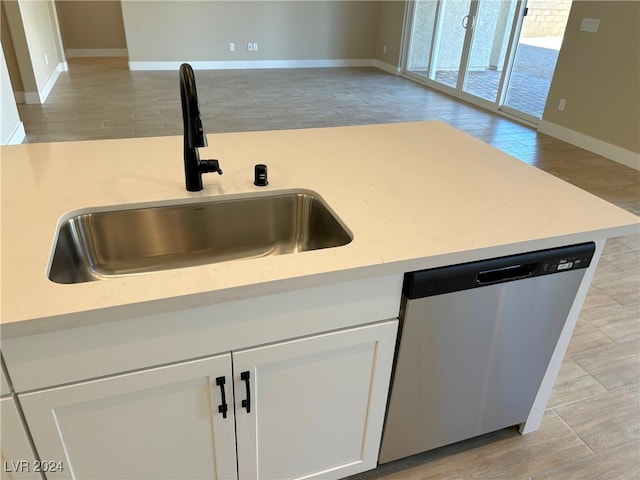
316	405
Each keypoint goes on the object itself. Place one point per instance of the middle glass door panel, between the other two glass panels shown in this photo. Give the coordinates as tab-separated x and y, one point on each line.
449	41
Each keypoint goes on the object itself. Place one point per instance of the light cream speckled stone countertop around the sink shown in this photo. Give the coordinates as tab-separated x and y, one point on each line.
414	195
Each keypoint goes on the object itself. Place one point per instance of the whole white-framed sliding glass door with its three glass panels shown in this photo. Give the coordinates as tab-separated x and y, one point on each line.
463	47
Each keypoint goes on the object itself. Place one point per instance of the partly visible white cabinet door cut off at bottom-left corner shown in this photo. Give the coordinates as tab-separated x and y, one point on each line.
18	461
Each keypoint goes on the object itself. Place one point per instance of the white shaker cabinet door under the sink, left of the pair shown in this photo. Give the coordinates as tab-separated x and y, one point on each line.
162	423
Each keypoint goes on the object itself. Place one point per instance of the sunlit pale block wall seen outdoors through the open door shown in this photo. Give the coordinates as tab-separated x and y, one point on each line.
546	18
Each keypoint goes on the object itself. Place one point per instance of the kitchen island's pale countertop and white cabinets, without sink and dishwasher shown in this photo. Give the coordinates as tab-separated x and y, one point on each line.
413	196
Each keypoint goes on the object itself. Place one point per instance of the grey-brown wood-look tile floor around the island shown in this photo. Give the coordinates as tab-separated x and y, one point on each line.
591	429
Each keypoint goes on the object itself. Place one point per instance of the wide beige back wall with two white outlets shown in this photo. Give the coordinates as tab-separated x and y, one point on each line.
169	31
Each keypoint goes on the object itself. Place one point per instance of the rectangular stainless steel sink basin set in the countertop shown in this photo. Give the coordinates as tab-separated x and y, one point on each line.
97	245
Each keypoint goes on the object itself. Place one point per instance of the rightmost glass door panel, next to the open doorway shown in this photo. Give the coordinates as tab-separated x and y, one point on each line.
492	28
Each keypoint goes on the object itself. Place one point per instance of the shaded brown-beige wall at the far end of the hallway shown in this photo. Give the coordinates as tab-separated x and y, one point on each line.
91	24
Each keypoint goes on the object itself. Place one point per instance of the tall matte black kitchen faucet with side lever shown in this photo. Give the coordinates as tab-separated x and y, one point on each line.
194	135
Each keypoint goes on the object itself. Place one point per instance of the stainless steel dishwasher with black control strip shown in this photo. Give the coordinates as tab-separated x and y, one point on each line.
475	343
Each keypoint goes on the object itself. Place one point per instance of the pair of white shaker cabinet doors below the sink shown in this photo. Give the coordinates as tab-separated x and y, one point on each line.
309	408
